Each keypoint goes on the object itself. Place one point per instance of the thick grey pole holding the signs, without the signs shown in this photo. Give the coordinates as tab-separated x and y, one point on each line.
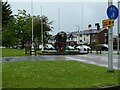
110	43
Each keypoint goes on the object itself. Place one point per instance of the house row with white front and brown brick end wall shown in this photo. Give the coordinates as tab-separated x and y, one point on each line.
89	36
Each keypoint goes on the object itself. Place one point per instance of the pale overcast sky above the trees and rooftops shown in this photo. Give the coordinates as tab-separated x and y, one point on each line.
67	14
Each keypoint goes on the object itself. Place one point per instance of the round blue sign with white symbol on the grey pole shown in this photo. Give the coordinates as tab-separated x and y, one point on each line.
112	12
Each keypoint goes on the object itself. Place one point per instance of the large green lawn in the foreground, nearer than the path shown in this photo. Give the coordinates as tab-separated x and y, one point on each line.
56	74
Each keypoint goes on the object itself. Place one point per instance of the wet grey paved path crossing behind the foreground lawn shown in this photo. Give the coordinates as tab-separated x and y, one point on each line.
97	59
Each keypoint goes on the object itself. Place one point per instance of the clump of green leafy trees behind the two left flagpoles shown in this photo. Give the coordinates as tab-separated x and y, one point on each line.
19	29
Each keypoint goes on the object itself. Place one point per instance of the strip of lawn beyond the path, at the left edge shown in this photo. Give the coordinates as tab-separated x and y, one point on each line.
12	52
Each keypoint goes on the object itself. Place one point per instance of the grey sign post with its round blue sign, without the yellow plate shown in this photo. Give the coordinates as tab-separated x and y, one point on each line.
112	13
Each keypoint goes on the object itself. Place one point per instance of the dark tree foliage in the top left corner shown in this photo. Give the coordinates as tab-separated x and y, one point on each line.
6	13
